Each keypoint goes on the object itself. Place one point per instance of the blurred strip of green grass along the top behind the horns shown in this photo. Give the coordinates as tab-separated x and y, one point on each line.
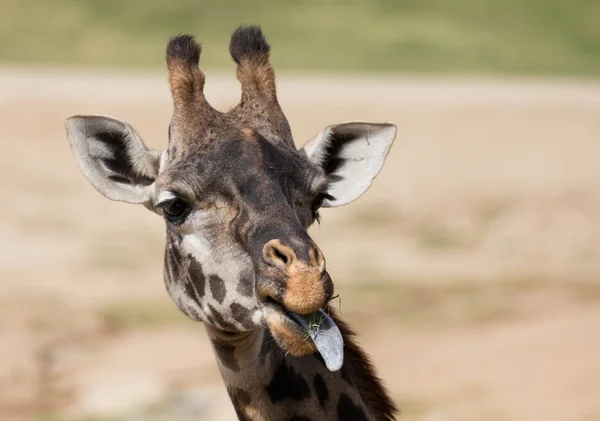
531	37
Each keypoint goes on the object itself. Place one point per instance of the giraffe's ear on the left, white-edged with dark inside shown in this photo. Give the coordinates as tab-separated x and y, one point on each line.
113	157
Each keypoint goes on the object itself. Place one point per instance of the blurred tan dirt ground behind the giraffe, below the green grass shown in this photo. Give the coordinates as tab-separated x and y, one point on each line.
471	269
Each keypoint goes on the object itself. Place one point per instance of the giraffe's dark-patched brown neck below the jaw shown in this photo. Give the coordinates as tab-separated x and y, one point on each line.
266	384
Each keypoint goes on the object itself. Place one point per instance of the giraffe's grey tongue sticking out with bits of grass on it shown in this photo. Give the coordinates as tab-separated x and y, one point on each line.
325	335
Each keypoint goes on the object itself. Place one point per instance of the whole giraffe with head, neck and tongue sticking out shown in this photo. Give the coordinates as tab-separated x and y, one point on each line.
237	198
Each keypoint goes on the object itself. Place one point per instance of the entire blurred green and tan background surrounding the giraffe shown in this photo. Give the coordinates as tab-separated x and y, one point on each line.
471	269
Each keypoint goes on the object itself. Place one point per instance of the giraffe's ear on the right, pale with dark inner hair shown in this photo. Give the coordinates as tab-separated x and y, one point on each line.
351	154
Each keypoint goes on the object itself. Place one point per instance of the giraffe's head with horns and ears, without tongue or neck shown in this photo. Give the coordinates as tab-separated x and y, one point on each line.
236	195
